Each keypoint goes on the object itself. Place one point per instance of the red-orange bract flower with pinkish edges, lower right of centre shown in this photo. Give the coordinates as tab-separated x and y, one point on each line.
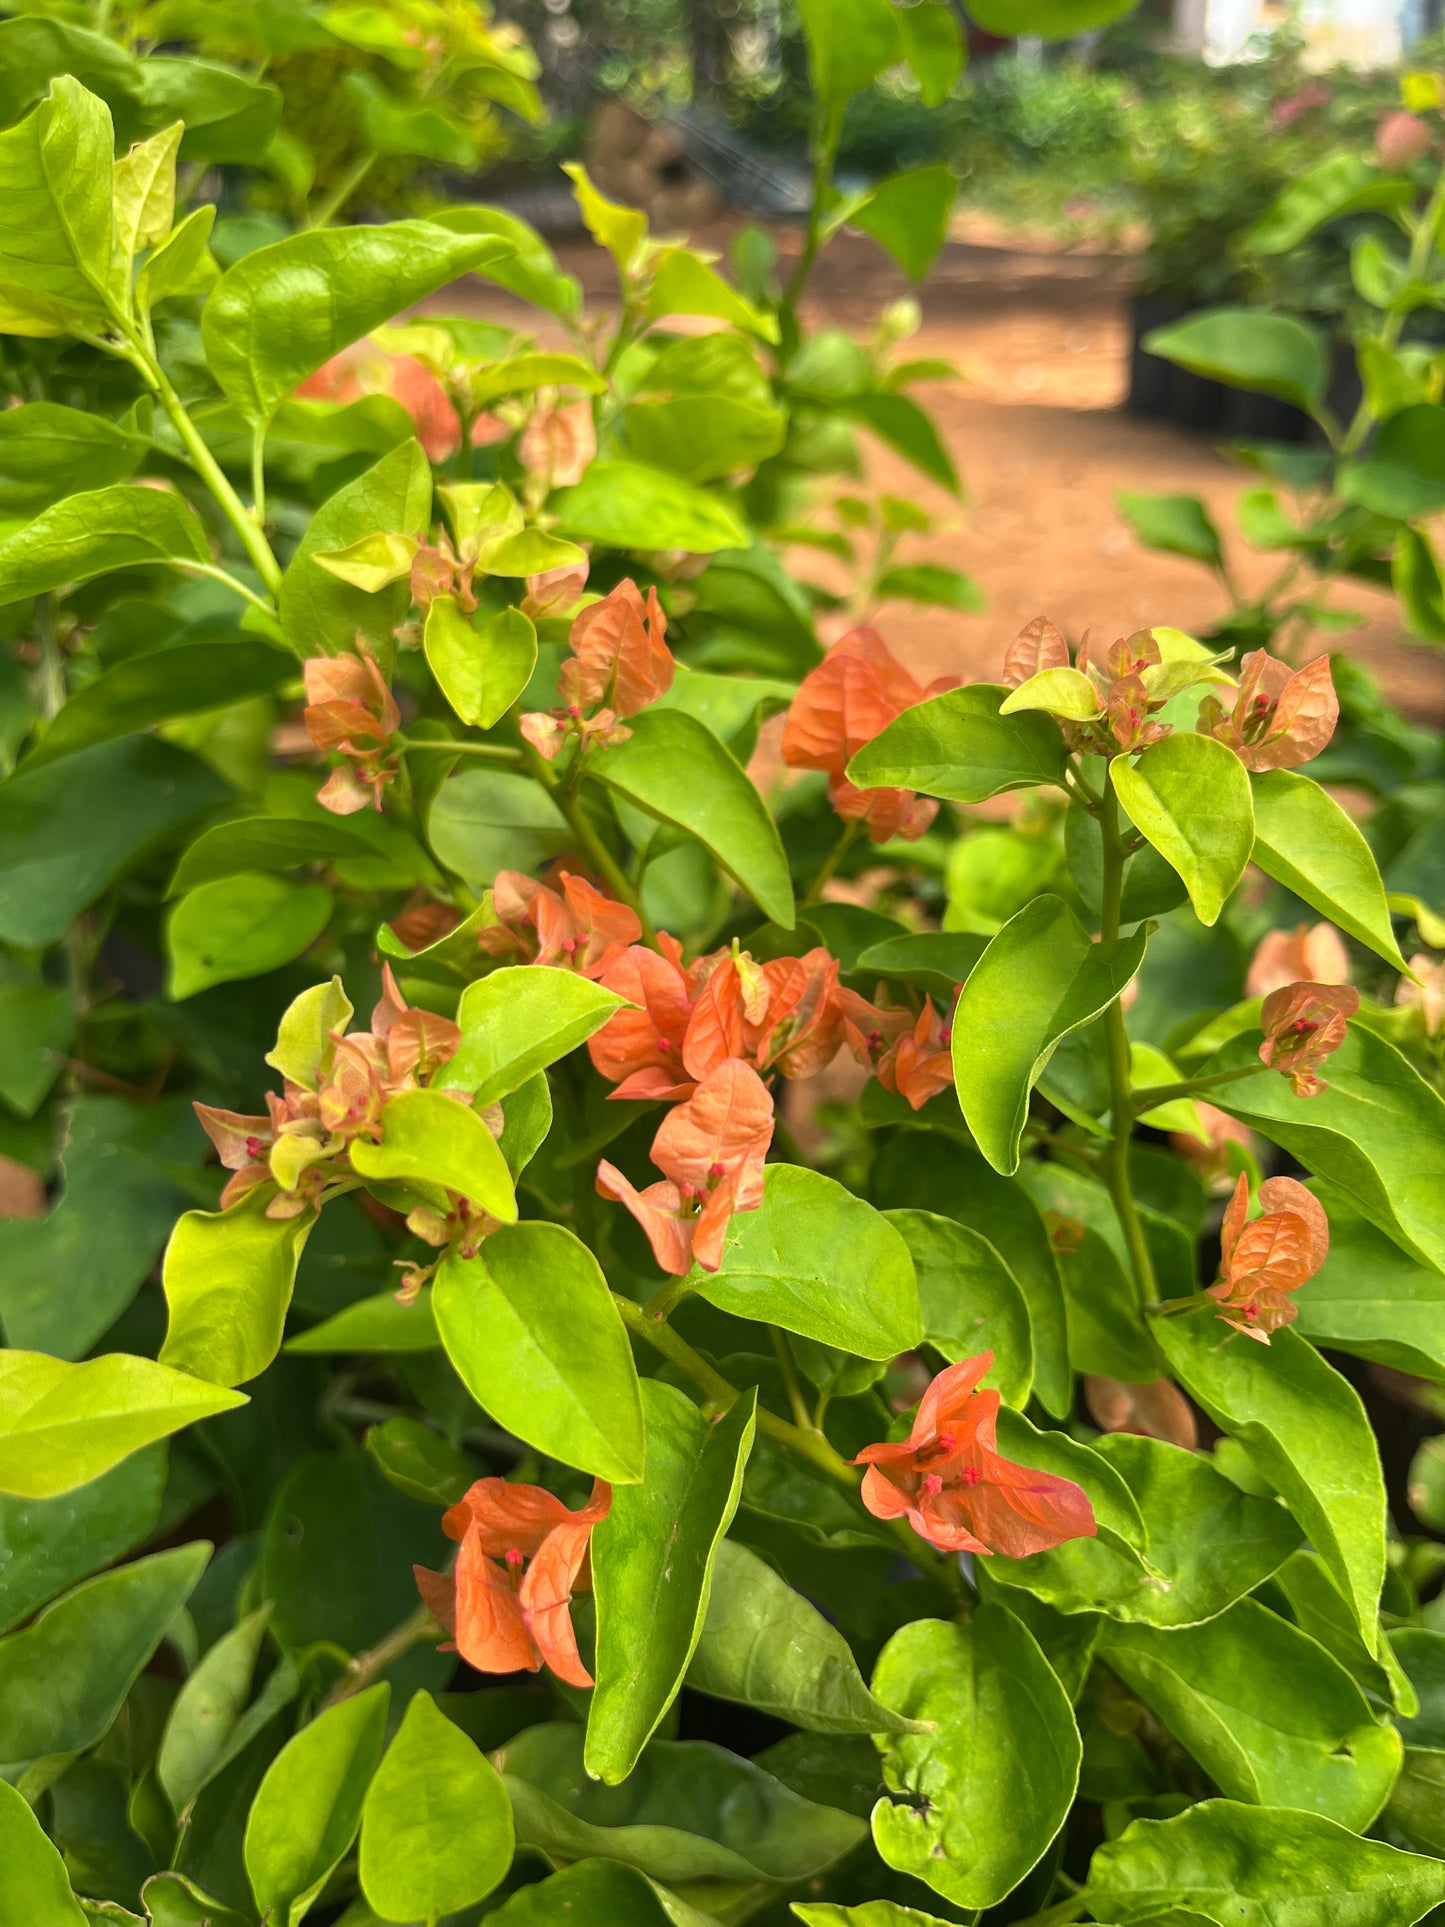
957	1491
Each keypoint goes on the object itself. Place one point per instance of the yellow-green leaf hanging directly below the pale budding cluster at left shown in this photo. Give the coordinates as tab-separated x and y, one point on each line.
228	1282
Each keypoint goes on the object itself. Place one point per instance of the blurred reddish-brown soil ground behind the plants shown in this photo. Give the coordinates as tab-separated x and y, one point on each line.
1036	423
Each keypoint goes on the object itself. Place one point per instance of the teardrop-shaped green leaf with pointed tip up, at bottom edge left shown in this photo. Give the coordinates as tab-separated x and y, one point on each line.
436	1828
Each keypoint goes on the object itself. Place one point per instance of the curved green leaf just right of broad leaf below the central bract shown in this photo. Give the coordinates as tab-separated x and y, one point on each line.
970	1300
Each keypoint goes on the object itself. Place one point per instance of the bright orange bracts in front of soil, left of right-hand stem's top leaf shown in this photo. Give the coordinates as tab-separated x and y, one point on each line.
854	693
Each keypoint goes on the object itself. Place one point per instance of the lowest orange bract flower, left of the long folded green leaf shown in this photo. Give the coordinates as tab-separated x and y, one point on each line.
523	1558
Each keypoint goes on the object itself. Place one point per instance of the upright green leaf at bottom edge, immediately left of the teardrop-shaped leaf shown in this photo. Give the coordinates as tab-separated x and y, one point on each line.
311	1803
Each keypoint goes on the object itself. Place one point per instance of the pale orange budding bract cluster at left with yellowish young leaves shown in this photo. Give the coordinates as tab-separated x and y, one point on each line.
303	1144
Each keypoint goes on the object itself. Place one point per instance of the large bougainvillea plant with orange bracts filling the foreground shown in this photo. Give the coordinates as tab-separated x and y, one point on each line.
768	1334
